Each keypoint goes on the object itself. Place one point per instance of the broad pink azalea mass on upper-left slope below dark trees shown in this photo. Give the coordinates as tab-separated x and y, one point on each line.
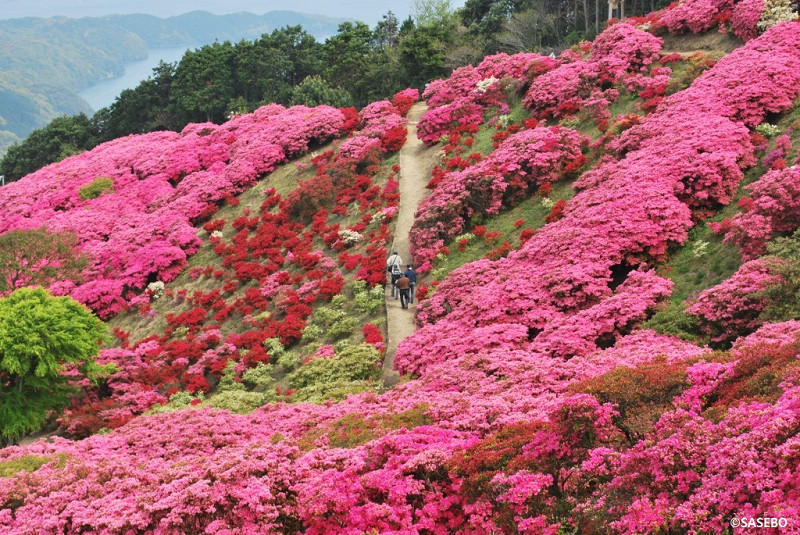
163	183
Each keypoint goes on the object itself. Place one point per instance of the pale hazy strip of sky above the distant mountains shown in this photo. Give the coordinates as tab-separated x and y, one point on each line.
368	11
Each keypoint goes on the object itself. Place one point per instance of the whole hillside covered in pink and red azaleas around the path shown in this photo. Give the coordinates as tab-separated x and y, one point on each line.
607	336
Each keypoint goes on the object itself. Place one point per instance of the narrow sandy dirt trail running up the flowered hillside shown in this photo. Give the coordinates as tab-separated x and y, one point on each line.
416	161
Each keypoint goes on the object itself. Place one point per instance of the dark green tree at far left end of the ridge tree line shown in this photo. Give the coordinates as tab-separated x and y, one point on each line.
62	137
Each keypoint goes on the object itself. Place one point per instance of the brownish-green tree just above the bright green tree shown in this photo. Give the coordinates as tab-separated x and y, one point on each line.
37	257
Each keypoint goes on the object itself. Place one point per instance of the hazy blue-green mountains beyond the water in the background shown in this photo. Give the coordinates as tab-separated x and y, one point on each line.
45	63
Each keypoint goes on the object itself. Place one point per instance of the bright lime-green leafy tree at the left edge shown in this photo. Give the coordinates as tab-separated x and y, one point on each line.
40	337
